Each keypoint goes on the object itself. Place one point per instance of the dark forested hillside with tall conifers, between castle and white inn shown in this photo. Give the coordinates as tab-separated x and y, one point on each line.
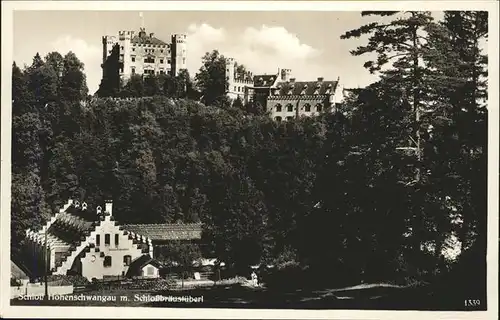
334	192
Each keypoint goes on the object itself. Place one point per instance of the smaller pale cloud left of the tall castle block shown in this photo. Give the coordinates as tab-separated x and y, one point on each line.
89	54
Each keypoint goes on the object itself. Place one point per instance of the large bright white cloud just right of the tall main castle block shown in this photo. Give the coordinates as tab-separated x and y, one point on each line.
261	50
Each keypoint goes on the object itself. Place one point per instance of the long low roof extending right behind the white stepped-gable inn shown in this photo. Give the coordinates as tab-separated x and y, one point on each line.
174	231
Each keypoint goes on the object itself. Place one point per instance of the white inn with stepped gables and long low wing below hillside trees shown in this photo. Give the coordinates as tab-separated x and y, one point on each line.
94	245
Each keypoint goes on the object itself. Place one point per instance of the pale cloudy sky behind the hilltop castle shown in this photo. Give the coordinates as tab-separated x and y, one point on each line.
308	43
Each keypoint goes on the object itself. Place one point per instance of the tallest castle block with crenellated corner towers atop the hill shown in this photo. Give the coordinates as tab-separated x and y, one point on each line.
143	54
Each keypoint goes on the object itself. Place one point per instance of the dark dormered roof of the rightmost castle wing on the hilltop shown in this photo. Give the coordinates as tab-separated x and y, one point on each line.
306	87
